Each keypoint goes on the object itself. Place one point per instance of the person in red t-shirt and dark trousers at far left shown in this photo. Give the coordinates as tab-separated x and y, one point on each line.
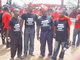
5	19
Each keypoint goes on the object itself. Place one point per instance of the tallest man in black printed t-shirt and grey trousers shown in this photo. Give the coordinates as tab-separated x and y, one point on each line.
29	31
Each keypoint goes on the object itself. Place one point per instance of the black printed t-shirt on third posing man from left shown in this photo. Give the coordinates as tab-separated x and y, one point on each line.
46	23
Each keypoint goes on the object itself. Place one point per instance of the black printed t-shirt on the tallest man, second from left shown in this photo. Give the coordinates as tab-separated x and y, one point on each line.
30	19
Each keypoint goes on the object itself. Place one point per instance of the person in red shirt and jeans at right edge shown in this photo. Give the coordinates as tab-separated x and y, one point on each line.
77	30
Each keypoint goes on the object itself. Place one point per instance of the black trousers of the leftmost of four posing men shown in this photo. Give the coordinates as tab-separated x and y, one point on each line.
16	45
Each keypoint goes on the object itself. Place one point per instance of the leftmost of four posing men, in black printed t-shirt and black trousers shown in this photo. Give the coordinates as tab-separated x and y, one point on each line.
15	35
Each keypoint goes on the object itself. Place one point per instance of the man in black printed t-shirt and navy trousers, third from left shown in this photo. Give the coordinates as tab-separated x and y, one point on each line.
45	23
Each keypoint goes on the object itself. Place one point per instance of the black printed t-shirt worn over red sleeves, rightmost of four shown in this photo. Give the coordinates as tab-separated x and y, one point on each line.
61	30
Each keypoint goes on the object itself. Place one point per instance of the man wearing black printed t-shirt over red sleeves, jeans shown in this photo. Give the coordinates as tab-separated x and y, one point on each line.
62	30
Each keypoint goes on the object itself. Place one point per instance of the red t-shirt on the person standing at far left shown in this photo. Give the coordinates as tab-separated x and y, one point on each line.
6	18
